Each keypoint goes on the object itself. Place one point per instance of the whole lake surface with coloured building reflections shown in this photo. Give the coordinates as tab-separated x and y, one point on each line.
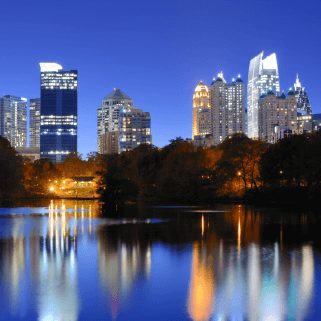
63	261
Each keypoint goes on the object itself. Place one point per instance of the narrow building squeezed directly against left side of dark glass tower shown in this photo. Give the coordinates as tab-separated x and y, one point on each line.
34	123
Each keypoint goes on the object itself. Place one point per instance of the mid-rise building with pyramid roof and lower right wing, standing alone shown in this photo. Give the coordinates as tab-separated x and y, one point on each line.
121	126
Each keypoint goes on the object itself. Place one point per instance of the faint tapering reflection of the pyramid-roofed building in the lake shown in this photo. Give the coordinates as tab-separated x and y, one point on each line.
124	258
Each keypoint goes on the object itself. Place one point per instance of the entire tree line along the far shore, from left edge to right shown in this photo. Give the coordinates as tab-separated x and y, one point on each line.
289	170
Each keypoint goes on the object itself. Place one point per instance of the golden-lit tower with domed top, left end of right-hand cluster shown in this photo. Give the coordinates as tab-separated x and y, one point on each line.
201	111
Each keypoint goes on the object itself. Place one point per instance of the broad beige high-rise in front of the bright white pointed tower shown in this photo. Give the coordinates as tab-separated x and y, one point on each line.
277	117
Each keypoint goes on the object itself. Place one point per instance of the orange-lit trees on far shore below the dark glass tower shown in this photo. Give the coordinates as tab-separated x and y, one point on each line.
22	178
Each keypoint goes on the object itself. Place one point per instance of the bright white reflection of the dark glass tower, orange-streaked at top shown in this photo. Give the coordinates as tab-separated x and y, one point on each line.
57	268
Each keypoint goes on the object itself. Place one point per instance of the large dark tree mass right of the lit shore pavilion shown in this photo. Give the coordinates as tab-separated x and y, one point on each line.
287	171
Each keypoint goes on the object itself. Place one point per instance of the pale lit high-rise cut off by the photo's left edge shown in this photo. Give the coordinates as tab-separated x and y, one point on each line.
13	120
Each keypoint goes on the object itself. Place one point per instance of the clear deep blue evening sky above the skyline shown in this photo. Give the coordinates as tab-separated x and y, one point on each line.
156	51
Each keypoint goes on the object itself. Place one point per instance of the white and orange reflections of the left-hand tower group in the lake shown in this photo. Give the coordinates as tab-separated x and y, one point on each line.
49	250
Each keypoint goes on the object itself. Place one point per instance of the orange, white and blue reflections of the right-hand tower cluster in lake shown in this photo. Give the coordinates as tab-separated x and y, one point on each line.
243	280
